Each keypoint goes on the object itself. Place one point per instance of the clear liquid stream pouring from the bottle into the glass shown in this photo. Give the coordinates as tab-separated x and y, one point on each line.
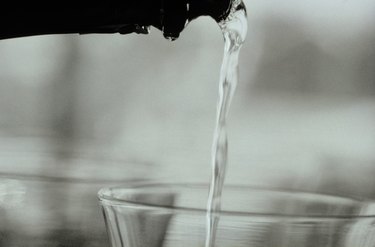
234	29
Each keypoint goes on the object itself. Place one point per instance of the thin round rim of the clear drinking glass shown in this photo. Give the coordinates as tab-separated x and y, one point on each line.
103	197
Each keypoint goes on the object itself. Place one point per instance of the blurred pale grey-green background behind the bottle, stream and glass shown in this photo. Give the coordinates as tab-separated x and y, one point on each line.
78	112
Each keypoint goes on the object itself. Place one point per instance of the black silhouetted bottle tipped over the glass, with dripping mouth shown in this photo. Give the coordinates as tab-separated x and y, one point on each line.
20	19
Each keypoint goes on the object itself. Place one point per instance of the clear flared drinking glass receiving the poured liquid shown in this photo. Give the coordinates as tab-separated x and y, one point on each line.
171	215
